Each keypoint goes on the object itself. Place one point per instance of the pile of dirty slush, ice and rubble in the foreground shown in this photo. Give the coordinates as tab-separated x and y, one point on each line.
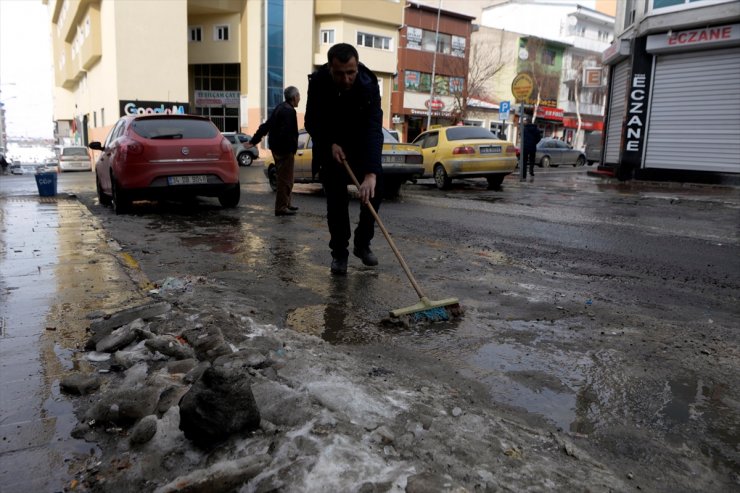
205	399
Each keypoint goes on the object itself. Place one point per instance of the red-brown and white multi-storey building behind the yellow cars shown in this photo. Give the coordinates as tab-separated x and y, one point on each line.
433	54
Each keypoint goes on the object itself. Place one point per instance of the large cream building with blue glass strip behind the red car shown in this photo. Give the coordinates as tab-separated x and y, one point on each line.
226	59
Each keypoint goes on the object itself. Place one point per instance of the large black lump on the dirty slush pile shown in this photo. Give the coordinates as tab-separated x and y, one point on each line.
218	405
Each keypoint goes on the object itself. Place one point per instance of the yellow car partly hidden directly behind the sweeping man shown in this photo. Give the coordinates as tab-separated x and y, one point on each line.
401	163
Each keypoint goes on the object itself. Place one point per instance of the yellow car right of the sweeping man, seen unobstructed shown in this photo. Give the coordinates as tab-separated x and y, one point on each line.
465	152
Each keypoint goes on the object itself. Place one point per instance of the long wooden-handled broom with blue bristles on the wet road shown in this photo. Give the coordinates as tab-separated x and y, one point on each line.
425	309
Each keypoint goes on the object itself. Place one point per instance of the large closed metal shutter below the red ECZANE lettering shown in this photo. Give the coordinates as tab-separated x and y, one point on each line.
695	112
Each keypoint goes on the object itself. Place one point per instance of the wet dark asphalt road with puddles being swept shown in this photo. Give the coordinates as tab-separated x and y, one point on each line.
604	309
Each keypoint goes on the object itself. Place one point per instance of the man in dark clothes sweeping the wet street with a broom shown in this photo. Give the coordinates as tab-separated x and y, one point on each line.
344	118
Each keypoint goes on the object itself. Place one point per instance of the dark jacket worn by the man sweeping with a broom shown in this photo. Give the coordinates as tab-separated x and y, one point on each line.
352	119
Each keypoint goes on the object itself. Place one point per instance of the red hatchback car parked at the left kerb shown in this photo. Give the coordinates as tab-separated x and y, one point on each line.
165	156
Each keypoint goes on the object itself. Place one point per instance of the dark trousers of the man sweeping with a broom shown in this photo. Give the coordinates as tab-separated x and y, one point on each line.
337	212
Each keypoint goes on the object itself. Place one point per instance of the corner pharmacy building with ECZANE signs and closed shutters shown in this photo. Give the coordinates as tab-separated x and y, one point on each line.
674	97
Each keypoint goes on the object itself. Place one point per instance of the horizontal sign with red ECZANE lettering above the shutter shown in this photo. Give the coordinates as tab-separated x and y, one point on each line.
717	36
